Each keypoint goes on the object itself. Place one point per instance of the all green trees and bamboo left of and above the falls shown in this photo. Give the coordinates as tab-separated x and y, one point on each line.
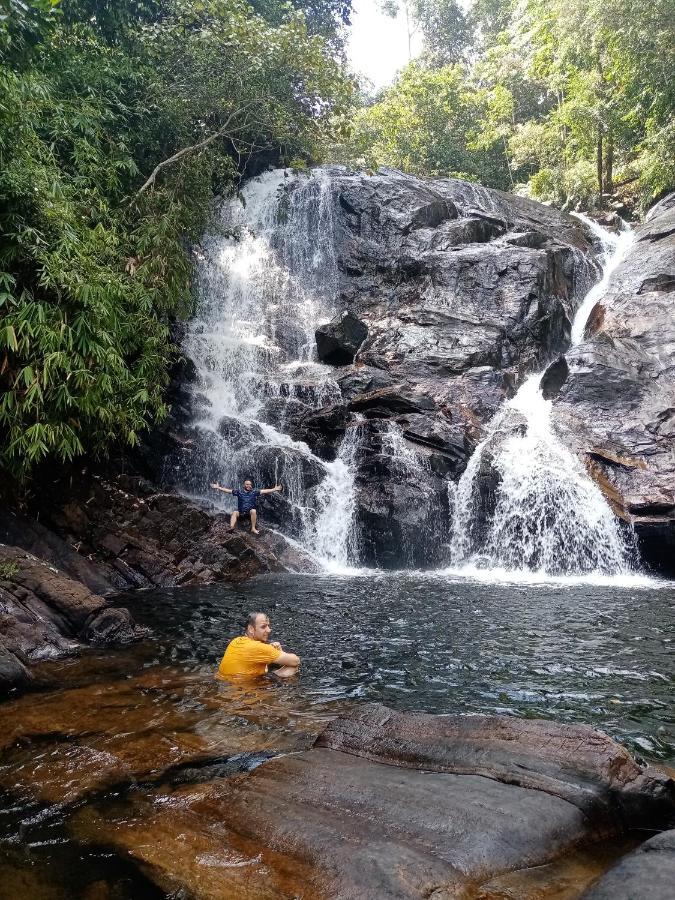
120	120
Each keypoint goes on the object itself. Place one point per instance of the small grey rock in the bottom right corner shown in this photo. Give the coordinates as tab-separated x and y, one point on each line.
648	871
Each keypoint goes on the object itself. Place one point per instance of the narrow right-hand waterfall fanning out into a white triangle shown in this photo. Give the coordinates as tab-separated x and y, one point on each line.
525	501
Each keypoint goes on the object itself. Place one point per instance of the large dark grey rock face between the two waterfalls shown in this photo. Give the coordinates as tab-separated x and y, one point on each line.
461	291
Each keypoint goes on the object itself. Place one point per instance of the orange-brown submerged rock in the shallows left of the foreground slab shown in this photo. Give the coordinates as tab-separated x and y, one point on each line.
139	728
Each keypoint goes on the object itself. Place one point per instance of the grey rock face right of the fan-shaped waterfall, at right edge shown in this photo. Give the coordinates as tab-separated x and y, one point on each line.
617	404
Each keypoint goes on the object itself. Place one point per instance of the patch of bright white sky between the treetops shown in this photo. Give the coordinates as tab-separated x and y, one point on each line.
378	45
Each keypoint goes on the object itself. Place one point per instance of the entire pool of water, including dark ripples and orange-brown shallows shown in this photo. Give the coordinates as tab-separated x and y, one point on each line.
601	655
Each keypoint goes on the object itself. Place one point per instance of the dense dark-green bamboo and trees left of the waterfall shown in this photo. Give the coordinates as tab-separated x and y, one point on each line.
119	121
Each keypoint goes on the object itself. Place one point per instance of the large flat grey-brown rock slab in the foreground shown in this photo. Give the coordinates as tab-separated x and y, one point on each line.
388	805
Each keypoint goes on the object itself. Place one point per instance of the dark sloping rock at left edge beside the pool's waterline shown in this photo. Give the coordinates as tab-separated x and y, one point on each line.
45	614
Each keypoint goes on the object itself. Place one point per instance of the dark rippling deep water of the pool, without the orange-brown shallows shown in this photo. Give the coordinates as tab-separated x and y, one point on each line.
603	656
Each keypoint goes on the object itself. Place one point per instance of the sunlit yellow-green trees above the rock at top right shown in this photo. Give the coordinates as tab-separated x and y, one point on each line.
563	99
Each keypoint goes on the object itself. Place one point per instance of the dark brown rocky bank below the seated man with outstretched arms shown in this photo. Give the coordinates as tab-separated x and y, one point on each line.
132	535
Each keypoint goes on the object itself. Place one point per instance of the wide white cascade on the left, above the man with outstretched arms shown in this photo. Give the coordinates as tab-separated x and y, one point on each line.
267	278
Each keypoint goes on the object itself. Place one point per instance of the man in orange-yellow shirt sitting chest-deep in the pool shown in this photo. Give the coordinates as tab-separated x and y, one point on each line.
251	653
